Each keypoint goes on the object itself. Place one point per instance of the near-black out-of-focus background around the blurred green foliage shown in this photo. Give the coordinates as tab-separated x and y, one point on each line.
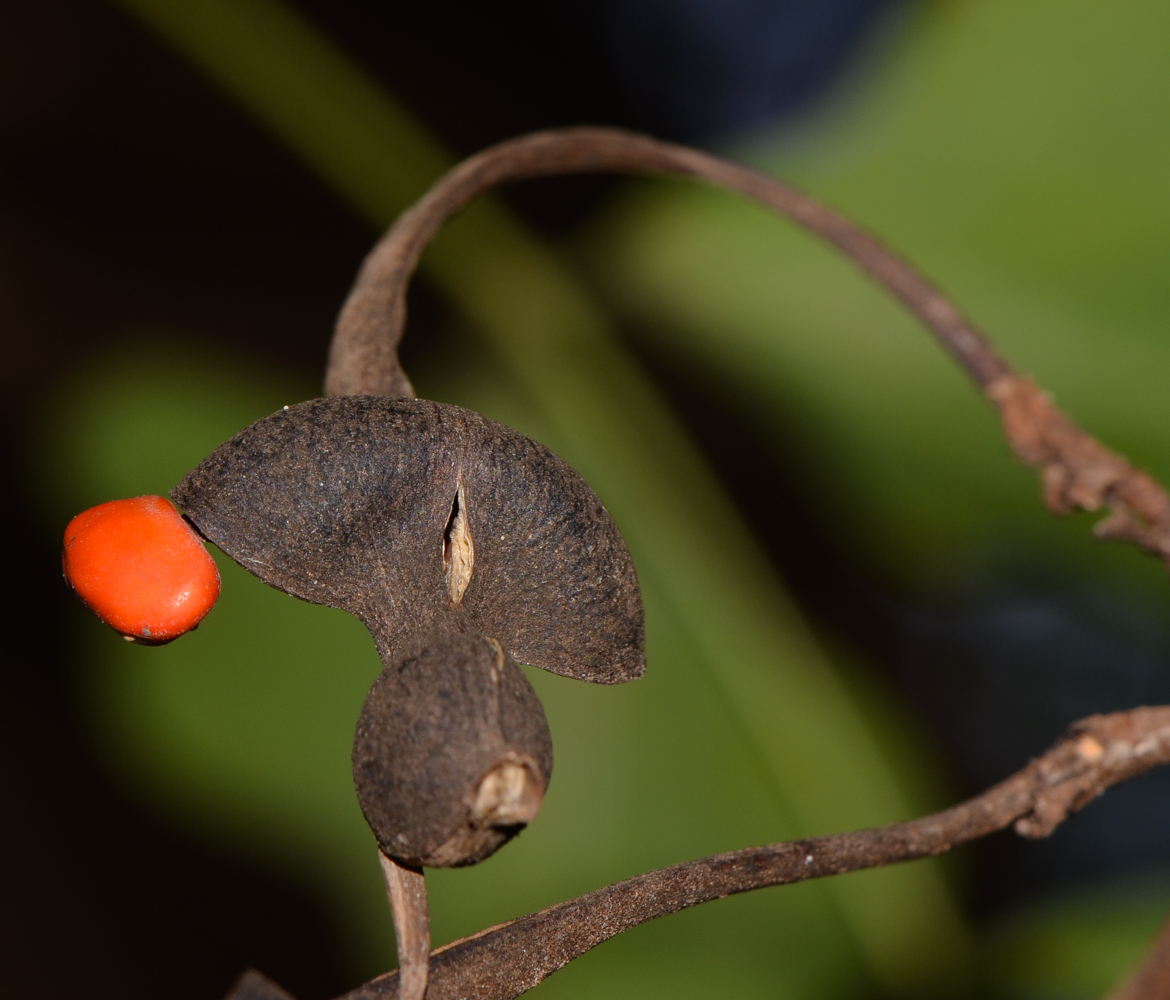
133	195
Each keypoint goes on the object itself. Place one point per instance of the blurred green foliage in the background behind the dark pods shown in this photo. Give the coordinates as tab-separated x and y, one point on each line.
1016	153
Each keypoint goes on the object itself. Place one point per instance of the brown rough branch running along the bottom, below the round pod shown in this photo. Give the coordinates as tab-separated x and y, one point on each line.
506	961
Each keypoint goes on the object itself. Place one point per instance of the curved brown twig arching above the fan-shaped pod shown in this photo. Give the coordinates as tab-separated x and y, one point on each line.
1078	472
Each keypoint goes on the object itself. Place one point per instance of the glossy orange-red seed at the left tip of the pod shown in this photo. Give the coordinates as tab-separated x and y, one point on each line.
141	569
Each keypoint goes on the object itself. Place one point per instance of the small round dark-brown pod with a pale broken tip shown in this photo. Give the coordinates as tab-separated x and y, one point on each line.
452	754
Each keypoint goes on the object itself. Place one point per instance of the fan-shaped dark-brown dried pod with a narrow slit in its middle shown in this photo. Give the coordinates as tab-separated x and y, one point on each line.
418	516
